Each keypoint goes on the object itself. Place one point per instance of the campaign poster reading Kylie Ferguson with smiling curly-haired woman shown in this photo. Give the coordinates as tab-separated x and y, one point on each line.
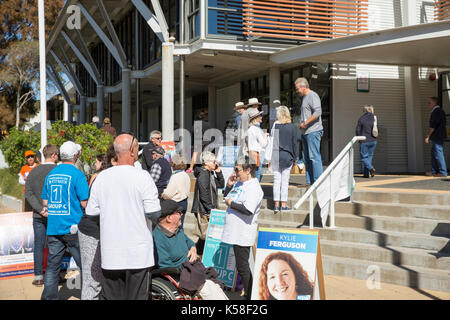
285	265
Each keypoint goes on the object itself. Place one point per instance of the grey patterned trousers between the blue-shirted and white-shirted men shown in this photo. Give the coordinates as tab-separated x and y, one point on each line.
91	274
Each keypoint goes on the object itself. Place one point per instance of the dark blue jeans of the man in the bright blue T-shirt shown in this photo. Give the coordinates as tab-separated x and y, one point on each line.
56	247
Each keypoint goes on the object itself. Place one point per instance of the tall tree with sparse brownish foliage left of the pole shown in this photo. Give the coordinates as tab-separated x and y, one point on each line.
20	72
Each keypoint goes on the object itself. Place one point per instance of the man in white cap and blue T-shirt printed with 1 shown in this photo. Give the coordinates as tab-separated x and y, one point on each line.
64	194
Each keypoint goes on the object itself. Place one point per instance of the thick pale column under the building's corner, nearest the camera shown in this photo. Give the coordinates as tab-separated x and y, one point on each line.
167	91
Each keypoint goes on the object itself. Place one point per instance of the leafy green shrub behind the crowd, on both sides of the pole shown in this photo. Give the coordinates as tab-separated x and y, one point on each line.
92	140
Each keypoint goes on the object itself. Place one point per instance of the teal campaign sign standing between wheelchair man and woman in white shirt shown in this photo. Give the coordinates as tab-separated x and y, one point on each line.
218	254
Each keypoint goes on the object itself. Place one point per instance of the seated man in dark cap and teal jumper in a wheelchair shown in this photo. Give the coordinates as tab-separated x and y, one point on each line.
176	254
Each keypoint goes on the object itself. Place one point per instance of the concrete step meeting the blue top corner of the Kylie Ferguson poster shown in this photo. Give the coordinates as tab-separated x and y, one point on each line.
394	255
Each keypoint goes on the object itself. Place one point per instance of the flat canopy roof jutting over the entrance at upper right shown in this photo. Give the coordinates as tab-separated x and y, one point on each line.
419	45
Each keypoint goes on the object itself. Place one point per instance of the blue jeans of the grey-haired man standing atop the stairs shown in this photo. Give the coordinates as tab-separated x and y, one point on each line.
311	155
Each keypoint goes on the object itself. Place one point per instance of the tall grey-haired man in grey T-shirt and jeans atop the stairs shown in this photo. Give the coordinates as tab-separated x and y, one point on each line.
312	130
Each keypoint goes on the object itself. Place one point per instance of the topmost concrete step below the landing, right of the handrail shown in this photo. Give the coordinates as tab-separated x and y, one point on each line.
434	199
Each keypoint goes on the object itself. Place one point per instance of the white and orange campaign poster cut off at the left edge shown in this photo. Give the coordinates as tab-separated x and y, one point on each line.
16	245
